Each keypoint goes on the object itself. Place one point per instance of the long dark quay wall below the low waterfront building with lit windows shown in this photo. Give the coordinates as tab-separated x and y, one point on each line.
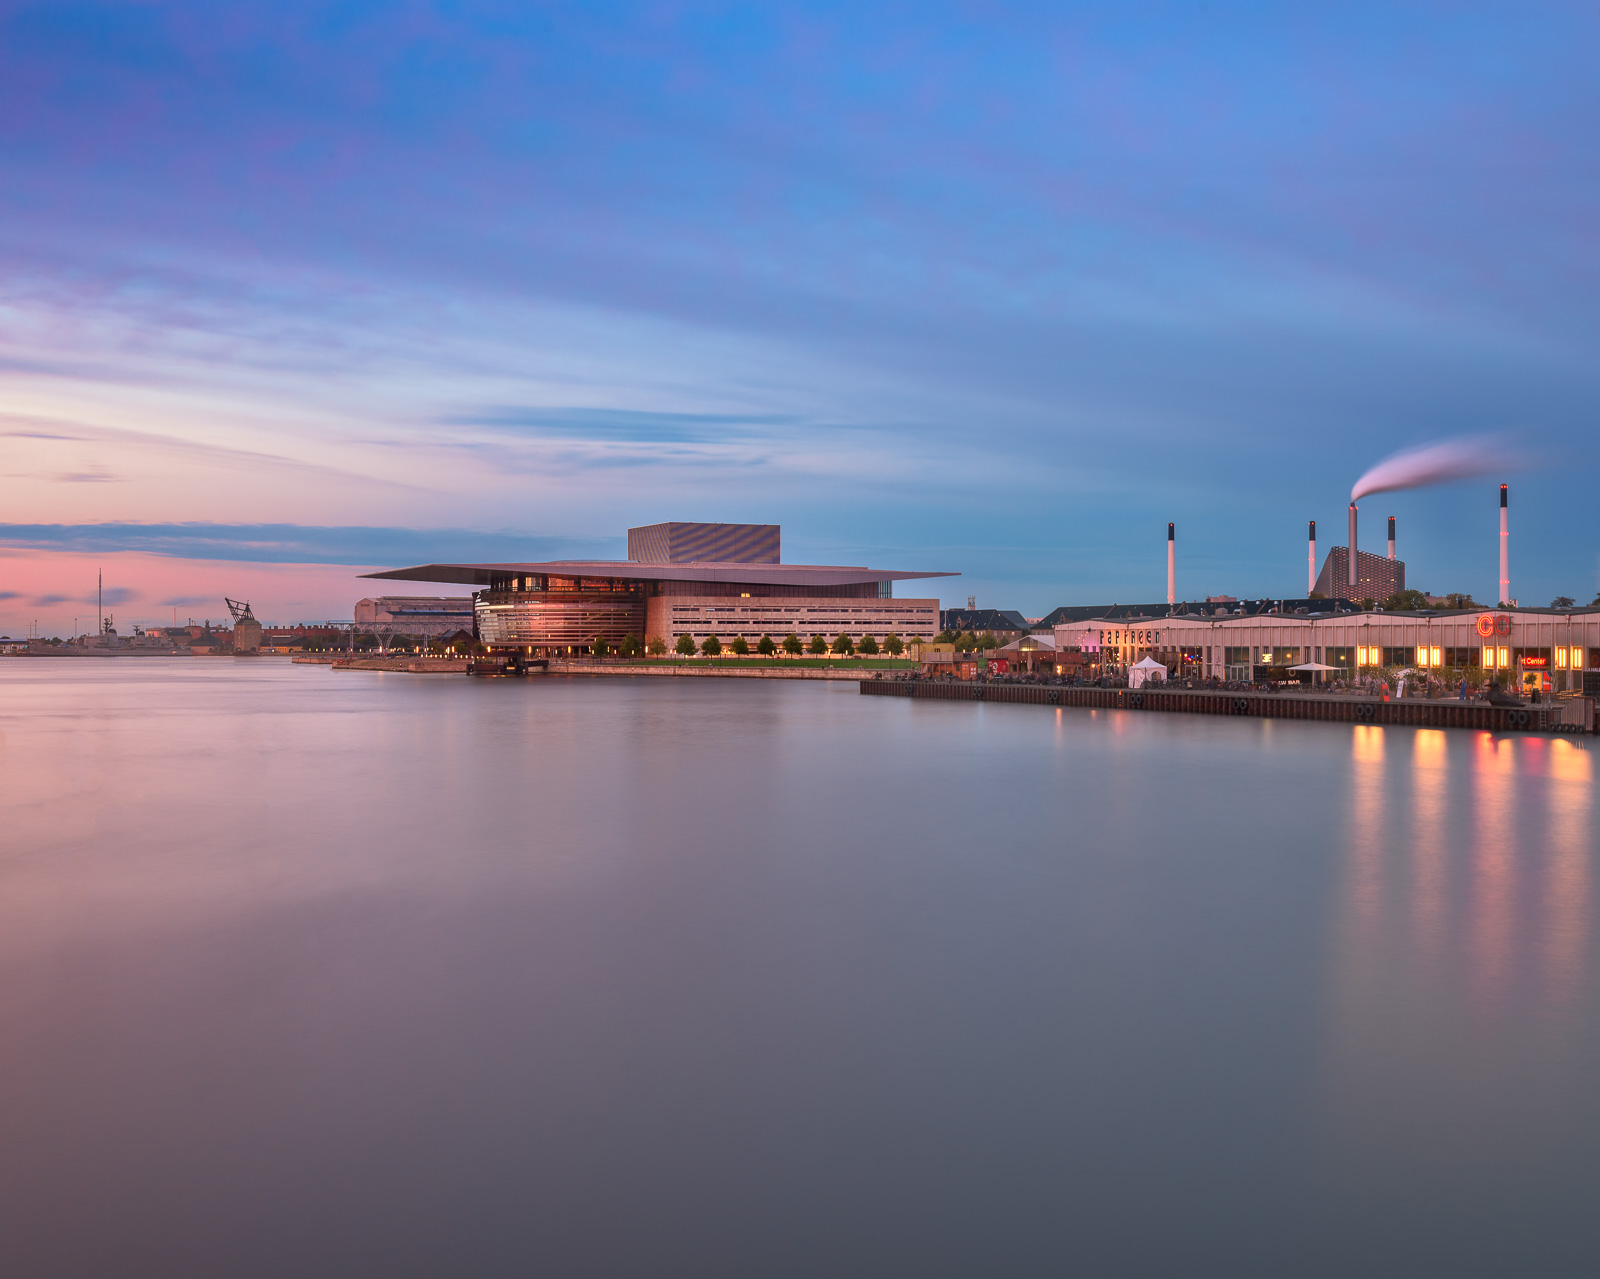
1567	716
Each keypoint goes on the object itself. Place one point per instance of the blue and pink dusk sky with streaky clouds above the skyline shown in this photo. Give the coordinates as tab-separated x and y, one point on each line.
290	292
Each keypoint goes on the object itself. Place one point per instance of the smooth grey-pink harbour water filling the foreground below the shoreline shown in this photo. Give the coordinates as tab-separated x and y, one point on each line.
311	972
